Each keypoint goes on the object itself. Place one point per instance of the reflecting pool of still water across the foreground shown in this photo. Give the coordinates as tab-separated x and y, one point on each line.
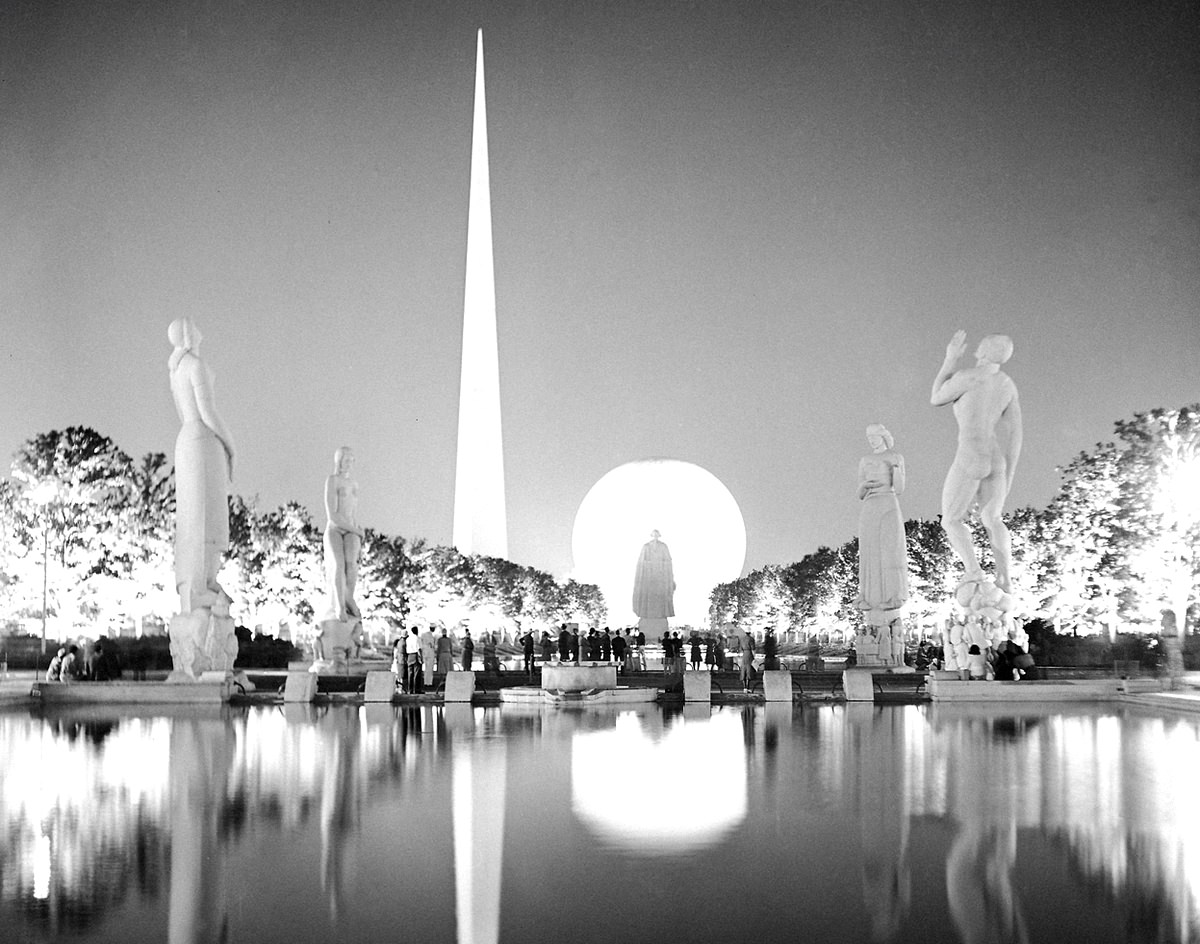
478	826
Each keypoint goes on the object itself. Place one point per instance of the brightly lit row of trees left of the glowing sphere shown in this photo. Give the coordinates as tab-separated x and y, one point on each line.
106	526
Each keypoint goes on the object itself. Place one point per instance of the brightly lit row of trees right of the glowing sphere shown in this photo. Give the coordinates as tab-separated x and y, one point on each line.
1119	544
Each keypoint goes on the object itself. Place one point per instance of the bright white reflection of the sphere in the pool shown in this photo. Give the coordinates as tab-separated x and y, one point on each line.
698	766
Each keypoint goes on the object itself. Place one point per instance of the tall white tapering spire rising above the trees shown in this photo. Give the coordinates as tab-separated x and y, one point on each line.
481	524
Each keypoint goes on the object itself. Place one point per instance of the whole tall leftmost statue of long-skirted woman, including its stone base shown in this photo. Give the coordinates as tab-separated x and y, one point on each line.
202	636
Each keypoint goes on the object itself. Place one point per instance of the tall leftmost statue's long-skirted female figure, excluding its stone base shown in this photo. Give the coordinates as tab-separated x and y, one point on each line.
205	459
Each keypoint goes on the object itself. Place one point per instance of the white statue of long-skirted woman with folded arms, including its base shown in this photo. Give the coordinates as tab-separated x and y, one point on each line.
883	554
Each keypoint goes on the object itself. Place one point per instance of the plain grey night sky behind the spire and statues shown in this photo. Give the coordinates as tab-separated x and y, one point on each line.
730	235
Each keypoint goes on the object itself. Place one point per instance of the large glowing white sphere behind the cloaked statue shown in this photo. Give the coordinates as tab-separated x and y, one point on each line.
699	521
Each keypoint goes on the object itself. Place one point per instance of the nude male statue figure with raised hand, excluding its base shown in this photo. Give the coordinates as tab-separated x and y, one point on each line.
989	416
